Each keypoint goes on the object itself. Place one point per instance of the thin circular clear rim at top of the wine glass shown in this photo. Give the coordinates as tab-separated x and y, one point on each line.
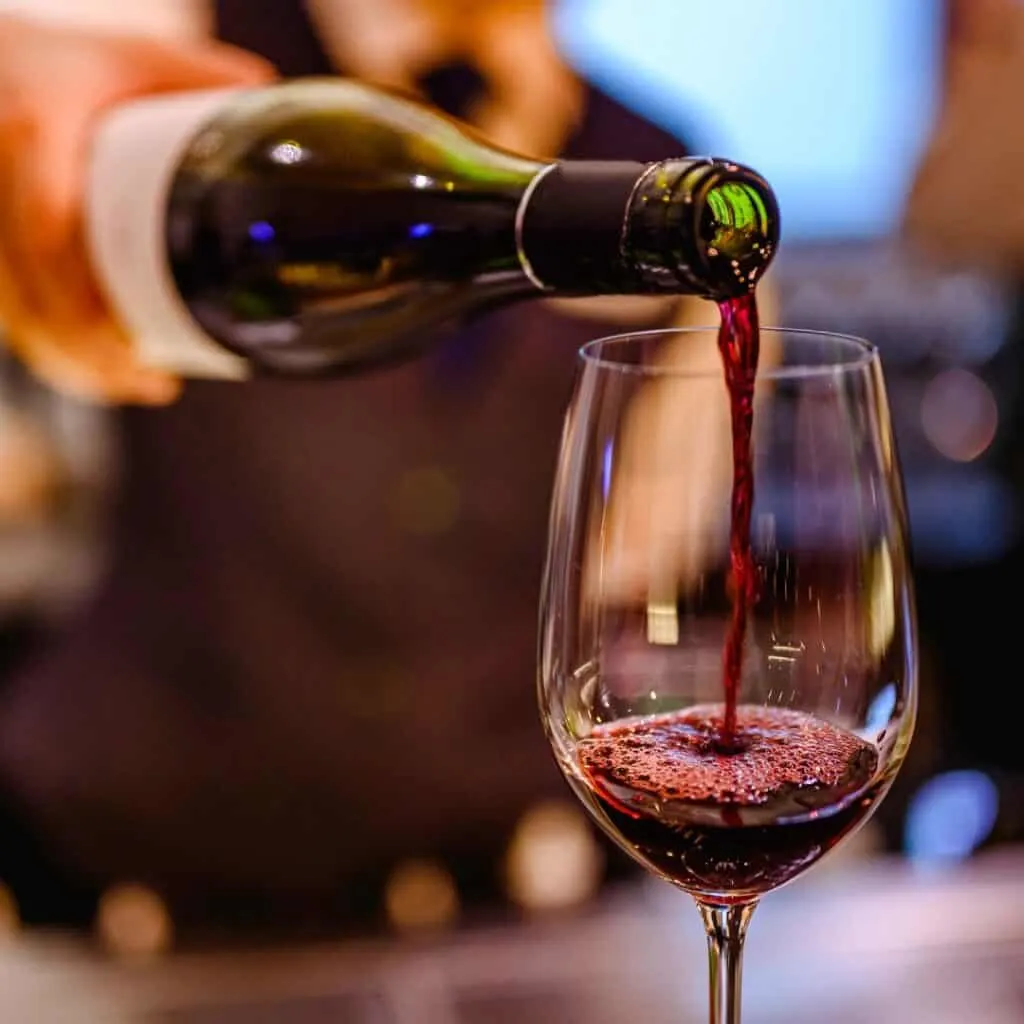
860	355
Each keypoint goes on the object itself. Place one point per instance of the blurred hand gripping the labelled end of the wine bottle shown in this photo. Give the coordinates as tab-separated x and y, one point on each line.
55	83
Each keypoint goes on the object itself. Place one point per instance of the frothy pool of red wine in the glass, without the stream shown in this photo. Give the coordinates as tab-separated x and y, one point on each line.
731	825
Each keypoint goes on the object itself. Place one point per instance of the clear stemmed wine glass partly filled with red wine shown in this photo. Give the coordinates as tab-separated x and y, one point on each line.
641	599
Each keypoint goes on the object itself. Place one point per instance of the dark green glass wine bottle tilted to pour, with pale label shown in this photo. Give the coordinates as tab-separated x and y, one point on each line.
322	227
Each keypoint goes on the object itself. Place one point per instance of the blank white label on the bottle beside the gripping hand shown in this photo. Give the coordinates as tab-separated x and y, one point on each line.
137	152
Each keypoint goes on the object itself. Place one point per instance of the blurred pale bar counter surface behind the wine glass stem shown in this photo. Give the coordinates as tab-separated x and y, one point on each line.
851	944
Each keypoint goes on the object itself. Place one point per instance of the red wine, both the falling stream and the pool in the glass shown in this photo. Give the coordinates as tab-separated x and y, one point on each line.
733	801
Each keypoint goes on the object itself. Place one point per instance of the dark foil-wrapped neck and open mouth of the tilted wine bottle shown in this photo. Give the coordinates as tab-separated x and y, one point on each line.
696	227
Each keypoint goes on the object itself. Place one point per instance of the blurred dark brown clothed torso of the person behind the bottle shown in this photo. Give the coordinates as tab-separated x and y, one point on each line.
314	654
